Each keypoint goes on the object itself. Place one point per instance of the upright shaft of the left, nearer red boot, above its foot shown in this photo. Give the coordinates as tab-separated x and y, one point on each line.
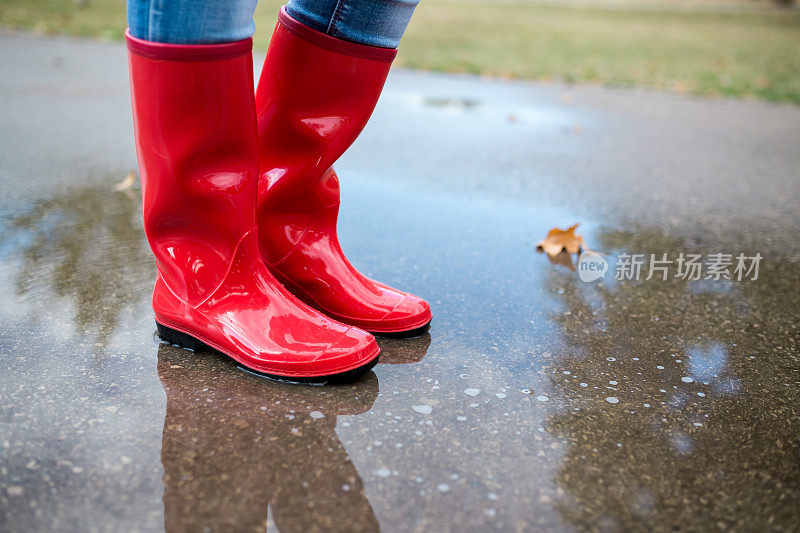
195	130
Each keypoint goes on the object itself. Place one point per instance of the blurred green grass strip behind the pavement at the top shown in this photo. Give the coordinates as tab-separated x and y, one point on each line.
746	53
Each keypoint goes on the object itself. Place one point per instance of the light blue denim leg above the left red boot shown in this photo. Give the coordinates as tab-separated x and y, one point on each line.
191	22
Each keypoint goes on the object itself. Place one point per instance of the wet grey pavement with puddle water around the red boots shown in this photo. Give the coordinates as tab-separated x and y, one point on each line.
537	401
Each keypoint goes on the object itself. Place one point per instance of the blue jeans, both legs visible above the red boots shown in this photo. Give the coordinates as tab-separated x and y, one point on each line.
371	22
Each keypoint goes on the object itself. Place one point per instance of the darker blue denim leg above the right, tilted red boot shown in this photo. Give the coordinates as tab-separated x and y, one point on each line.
370	22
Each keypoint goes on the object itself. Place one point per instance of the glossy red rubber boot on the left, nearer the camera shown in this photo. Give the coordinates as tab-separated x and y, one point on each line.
194	121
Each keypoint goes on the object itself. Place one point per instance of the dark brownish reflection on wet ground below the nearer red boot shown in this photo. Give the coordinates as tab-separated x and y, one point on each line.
235	444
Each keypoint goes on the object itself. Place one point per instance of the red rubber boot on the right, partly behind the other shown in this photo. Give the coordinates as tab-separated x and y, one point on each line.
314	97
